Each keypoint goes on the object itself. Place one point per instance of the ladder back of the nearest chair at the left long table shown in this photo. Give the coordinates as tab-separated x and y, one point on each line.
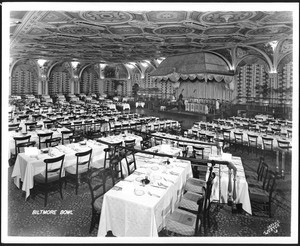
53	167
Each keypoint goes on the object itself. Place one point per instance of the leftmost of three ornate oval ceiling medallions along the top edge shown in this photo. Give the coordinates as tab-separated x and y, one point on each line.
106	17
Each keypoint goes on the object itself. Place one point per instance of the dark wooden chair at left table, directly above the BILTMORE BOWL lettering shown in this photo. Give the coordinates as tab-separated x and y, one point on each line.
51	180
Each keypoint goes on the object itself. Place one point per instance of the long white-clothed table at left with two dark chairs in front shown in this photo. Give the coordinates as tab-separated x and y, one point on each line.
26	167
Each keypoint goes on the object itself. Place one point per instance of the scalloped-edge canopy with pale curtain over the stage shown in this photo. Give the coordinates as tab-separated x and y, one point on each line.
184	70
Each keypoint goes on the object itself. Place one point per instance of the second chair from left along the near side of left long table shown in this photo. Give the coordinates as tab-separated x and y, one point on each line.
77	173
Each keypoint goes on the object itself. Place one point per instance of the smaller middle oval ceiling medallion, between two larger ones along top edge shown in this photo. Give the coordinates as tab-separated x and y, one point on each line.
166	16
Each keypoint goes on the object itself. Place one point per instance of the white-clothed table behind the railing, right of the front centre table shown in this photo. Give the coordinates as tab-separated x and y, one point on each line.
220	192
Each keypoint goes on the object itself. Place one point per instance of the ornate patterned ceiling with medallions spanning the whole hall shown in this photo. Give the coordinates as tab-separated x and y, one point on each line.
124	36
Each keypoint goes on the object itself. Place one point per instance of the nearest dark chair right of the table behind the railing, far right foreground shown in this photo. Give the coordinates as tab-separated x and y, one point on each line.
261	197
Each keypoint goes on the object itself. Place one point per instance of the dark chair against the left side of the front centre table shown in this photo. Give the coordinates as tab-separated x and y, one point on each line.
96	179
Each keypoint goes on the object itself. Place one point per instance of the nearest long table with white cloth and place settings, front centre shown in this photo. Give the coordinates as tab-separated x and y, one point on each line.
130	211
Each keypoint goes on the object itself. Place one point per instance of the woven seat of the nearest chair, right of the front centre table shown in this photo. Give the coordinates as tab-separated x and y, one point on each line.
181	222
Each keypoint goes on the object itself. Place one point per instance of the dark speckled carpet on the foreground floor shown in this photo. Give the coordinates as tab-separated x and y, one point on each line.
22	222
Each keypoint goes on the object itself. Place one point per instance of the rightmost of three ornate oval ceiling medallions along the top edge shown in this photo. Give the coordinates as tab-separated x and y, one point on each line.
226	17
